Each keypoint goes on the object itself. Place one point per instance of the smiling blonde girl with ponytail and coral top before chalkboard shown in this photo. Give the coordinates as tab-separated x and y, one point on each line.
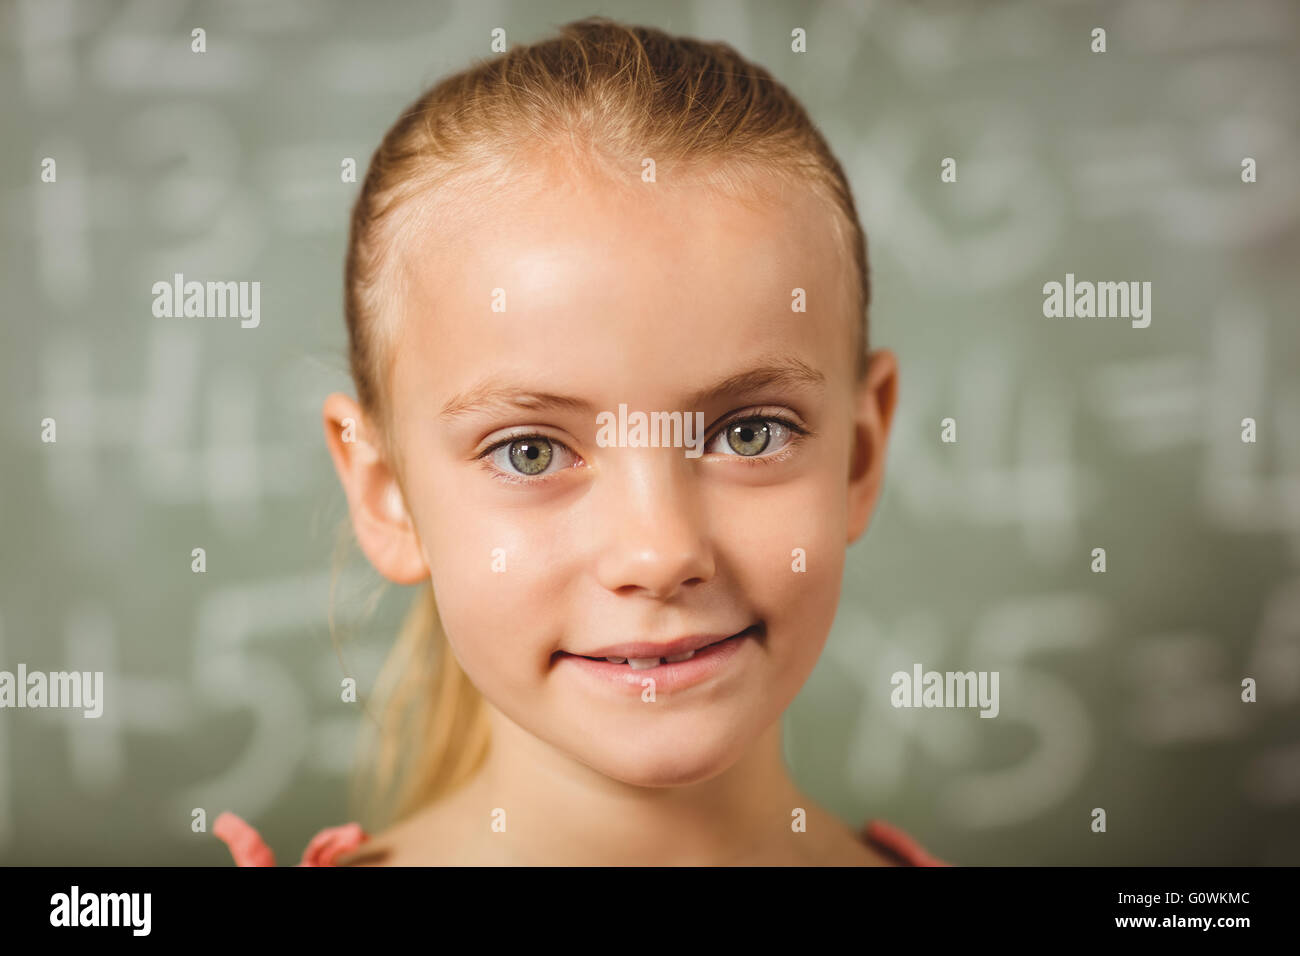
618	419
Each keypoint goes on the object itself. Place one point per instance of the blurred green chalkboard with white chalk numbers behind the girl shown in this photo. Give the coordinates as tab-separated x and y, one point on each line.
1169	159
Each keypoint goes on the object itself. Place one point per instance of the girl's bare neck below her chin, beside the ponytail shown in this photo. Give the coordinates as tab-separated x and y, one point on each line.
560	811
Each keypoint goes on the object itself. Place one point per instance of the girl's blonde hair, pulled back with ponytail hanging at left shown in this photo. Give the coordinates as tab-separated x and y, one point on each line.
603	96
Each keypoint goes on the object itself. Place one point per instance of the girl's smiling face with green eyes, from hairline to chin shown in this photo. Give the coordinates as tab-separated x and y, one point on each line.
547	544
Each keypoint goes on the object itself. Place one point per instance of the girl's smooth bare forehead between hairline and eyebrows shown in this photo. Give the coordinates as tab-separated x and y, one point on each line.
625	293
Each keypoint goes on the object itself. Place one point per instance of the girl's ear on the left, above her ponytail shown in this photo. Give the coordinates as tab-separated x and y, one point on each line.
380	518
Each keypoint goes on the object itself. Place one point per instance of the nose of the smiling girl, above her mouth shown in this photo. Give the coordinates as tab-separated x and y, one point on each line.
653	535
